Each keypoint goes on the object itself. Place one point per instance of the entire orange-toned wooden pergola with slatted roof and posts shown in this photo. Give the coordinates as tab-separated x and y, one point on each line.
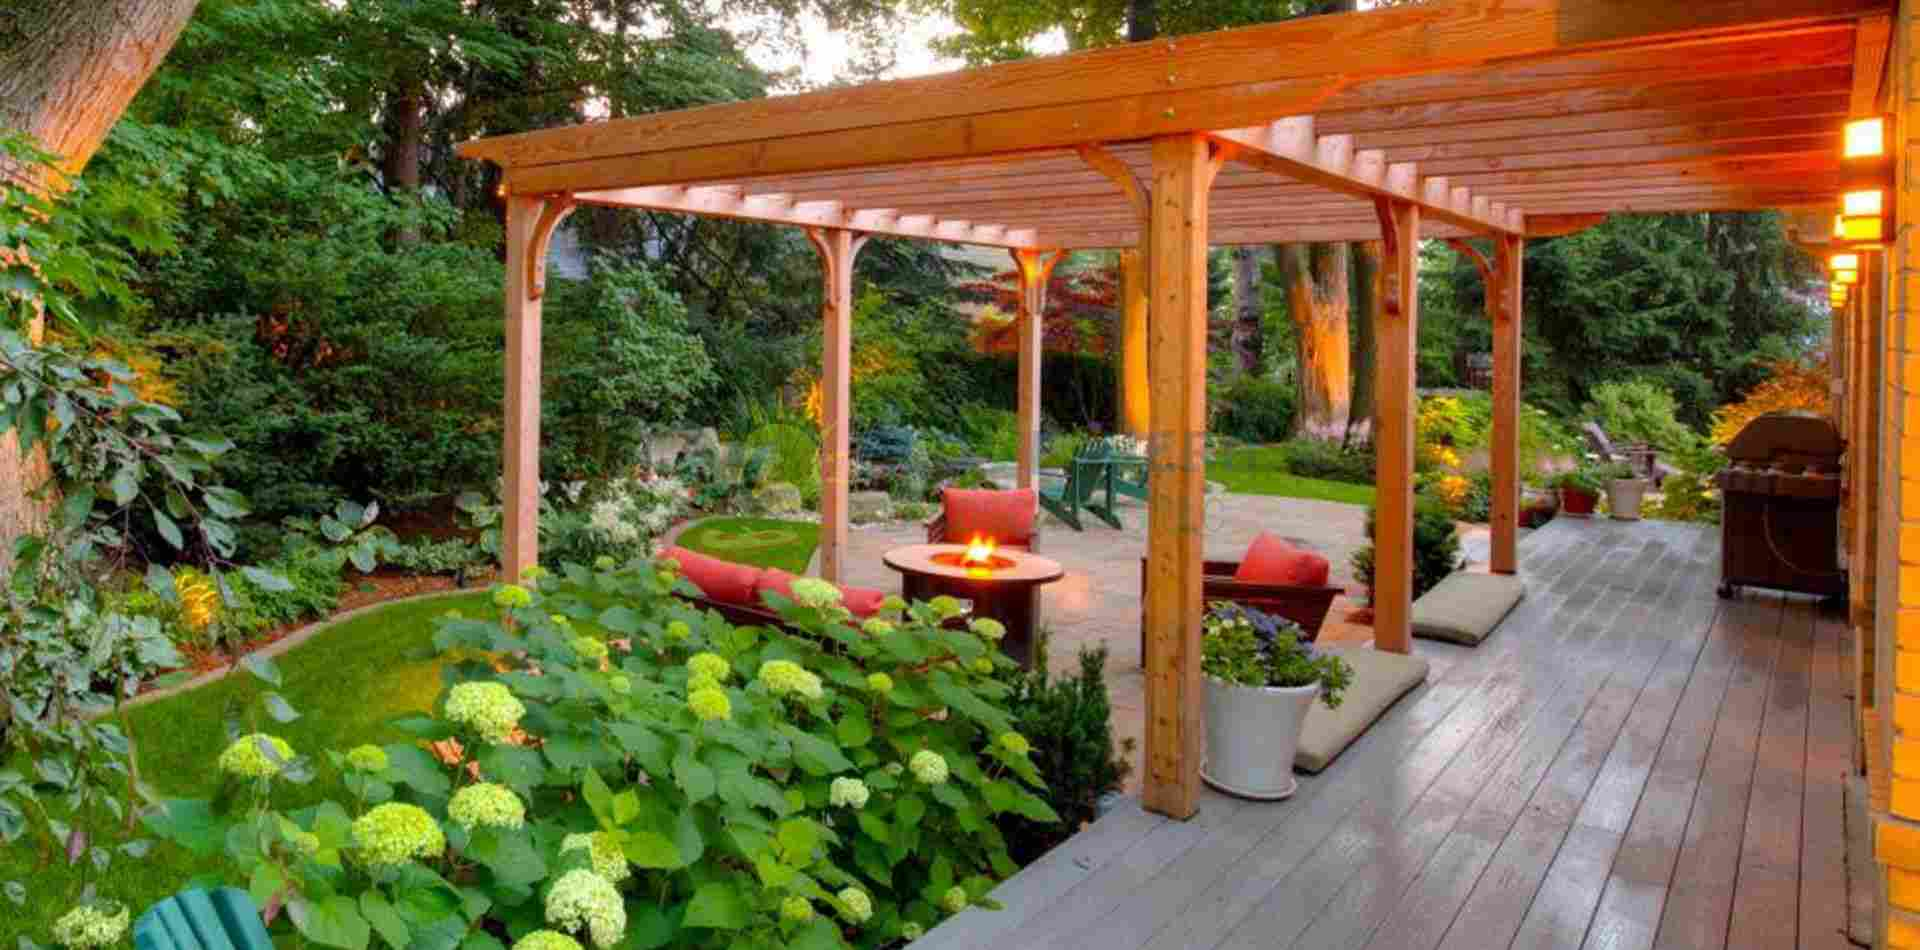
1462	120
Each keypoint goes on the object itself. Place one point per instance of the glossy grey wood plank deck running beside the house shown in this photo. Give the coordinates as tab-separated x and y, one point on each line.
1627	763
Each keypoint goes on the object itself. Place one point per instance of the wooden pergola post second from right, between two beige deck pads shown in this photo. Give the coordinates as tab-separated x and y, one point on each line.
1395	333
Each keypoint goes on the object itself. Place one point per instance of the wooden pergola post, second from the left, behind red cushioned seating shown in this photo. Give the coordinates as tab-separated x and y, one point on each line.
838	250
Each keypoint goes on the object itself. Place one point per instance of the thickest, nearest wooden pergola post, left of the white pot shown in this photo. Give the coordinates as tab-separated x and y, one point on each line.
1176	504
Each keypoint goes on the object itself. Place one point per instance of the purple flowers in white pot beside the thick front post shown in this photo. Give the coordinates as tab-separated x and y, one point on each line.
1260	680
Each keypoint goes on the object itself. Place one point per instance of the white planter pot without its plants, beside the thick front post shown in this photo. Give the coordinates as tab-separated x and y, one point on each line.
1253	736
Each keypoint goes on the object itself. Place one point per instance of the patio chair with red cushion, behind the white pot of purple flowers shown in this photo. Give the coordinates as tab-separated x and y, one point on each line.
1274	579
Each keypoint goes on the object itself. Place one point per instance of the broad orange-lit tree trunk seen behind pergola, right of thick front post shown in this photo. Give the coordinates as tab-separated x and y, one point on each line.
1318	302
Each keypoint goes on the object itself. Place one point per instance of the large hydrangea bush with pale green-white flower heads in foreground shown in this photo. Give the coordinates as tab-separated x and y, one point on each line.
688	784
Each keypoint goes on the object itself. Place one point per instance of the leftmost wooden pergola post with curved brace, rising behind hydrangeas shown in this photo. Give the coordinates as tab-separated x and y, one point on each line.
531	222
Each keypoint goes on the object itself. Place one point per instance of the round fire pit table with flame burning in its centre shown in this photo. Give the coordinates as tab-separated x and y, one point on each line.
1003	584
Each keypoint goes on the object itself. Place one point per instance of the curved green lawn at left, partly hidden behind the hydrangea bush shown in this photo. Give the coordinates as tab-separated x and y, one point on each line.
347	684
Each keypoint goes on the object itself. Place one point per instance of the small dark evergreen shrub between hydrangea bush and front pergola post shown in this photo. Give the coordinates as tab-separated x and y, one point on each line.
1068	721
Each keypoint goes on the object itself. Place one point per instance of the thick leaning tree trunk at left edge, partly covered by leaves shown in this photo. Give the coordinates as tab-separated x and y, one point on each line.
68	70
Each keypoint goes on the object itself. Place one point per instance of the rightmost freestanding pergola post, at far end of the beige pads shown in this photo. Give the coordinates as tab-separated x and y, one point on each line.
1504	312
